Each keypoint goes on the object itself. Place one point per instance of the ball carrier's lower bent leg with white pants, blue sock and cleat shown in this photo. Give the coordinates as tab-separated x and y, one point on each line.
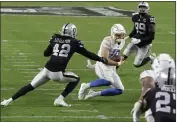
117	88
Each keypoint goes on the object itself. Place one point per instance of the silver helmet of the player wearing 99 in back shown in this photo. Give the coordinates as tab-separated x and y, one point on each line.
143	7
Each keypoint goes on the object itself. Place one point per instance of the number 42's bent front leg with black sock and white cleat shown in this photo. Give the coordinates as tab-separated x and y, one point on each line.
73	80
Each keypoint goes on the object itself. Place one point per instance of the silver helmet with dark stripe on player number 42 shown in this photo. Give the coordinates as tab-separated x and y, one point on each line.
69	30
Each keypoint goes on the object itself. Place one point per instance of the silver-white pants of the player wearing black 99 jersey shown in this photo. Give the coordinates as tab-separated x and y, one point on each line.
141	53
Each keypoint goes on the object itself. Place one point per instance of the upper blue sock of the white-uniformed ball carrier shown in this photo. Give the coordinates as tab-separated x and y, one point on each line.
99	82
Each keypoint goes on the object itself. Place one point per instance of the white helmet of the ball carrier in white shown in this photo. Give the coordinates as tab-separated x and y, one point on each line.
118	33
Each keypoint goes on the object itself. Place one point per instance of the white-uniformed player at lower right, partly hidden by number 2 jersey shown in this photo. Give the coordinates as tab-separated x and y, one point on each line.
148	79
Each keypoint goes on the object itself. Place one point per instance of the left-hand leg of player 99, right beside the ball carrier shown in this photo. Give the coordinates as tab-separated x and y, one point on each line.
128	50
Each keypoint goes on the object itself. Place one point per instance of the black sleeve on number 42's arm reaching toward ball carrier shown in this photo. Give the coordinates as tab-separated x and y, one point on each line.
81	50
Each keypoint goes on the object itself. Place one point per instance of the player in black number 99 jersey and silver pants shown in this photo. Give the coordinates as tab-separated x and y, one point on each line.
141	36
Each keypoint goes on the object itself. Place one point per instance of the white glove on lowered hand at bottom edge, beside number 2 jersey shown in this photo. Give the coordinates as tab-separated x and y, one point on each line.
136	112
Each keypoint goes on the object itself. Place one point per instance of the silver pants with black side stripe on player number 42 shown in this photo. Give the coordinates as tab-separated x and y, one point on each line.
45	75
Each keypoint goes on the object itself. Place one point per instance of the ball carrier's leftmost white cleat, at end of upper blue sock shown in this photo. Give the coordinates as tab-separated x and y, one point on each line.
82	91
